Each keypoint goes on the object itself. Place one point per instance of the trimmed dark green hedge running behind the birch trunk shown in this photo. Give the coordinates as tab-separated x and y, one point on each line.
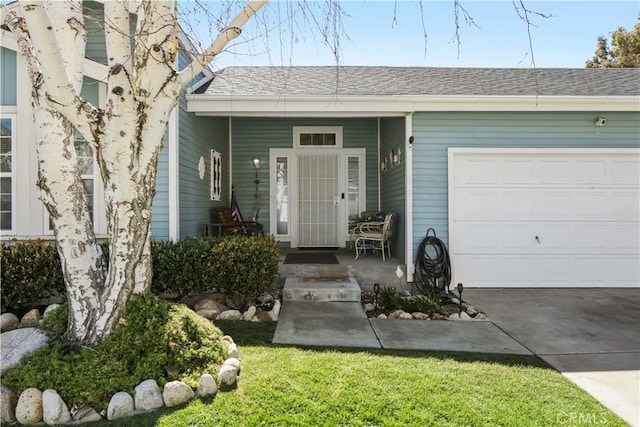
242	266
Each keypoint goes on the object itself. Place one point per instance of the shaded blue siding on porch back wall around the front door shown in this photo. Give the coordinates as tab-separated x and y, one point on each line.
255	136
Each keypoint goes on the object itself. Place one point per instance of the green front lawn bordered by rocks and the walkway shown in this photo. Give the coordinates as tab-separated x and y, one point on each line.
286	386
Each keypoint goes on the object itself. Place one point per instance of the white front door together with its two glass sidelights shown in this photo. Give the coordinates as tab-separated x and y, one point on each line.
312	194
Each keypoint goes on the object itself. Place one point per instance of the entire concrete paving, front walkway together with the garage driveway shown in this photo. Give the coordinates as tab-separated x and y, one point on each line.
591	336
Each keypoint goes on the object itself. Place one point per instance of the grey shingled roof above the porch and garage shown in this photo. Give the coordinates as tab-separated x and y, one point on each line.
387	81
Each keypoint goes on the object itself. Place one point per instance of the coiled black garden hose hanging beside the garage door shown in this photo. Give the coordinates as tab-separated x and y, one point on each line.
433	265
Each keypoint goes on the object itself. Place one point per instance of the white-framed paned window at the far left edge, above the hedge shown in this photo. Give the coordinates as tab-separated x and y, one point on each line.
7	174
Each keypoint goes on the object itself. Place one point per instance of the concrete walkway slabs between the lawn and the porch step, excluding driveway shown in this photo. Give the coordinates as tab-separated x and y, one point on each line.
345	324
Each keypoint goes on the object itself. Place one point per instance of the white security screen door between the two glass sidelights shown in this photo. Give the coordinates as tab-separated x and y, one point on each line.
318	201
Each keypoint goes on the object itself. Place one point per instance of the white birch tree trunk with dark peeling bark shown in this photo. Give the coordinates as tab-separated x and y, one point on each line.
126	135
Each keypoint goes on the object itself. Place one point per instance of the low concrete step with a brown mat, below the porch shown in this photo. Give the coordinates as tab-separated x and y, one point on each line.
321	289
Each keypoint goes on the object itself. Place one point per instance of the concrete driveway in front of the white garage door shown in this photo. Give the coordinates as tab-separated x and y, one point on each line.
592	336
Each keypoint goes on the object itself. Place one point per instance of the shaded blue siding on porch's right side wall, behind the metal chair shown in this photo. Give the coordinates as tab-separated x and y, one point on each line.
392	182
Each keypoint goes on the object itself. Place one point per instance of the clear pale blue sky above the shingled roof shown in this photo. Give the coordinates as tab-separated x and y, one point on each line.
499	37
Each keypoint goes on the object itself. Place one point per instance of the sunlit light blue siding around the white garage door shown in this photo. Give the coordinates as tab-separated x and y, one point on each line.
435	132
